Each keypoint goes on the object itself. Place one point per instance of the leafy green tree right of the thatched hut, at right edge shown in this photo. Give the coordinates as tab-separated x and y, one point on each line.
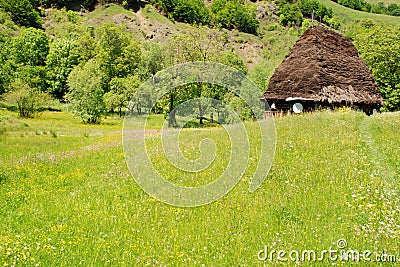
379	46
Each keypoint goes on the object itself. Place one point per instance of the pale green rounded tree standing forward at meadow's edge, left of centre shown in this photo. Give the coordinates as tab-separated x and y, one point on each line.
86	92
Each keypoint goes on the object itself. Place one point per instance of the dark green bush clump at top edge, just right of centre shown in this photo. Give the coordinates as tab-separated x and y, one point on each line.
235	14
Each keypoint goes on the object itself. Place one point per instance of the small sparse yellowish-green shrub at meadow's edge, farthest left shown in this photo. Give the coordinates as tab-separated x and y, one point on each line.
28	100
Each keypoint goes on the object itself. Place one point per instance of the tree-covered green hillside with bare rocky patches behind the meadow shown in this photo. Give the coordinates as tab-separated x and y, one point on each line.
126	44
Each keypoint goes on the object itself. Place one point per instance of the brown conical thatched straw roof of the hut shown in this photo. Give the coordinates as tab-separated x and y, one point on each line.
324	66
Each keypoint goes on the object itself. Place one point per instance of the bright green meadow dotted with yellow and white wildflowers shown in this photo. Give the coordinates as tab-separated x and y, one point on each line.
68	199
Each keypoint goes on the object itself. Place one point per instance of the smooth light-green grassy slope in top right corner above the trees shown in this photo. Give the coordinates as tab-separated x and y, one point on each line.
348	14
